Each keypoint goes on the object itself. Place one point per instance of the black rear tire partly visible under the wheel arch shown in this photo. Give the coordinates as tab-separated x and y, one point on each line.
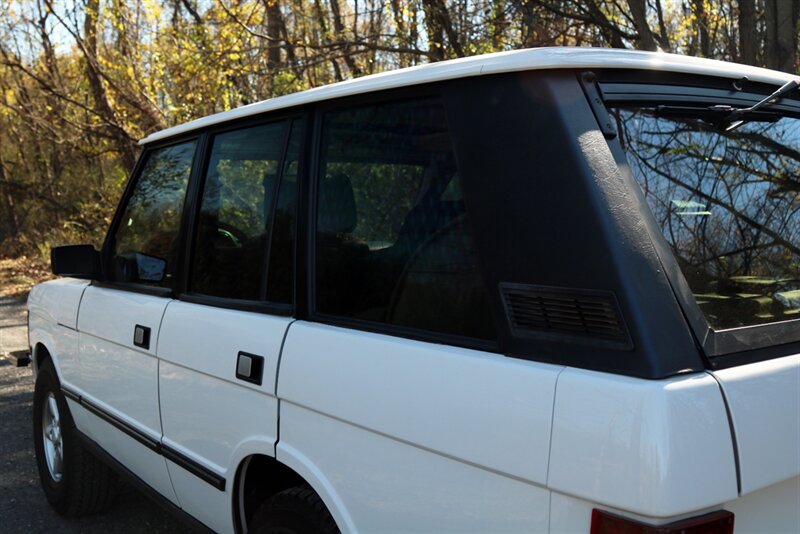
293	511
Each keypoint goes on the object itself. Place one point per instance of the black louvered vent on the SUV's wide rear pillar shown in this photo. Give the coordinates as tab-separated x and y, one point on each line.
591	315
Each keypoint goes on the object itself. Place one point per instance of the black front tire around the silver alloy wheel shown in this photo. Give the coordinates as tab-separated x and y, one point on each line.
83	485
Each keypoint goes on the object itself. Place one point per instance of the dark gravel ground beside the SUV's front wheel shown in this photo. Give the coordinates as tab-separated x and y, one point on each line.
23	507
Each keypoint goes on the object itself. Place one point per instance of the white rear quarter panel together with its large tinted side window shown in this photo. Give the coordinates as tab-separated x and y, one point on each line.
393	398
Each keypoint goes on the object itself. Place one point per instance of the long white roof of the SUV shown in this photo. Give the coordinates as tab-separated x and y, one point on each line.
512	61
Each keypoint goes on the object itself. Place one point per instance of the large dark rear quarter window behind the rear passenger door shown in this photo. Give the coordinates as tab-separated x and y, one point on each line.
393	241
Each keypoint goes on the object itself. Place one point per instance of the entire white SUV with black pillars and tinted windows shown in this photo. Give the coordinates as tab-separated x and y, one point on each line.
551	290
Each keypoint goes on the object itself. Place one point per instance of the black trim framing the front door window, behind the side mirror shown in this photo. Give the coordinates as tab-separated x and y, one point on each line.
133	179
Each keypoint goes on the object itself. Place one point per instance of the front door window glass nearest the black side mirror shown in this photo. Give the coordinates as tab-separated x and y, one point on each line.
144	248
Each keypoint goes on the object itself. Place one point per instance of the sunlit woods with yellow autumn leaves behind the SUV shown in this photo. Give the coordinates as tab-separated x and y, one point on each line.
81	81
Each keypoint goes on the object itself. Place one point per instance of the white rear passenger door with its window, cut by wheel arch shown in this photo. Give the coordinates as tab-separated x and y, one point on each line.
220	343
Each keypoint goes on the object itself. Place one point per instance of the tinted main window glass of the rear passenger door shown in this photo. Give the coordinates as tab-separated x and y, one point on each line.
239	189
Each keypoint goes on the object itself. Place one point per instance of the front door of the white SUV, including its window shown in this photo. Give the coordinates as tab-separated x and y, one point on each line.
119	321
